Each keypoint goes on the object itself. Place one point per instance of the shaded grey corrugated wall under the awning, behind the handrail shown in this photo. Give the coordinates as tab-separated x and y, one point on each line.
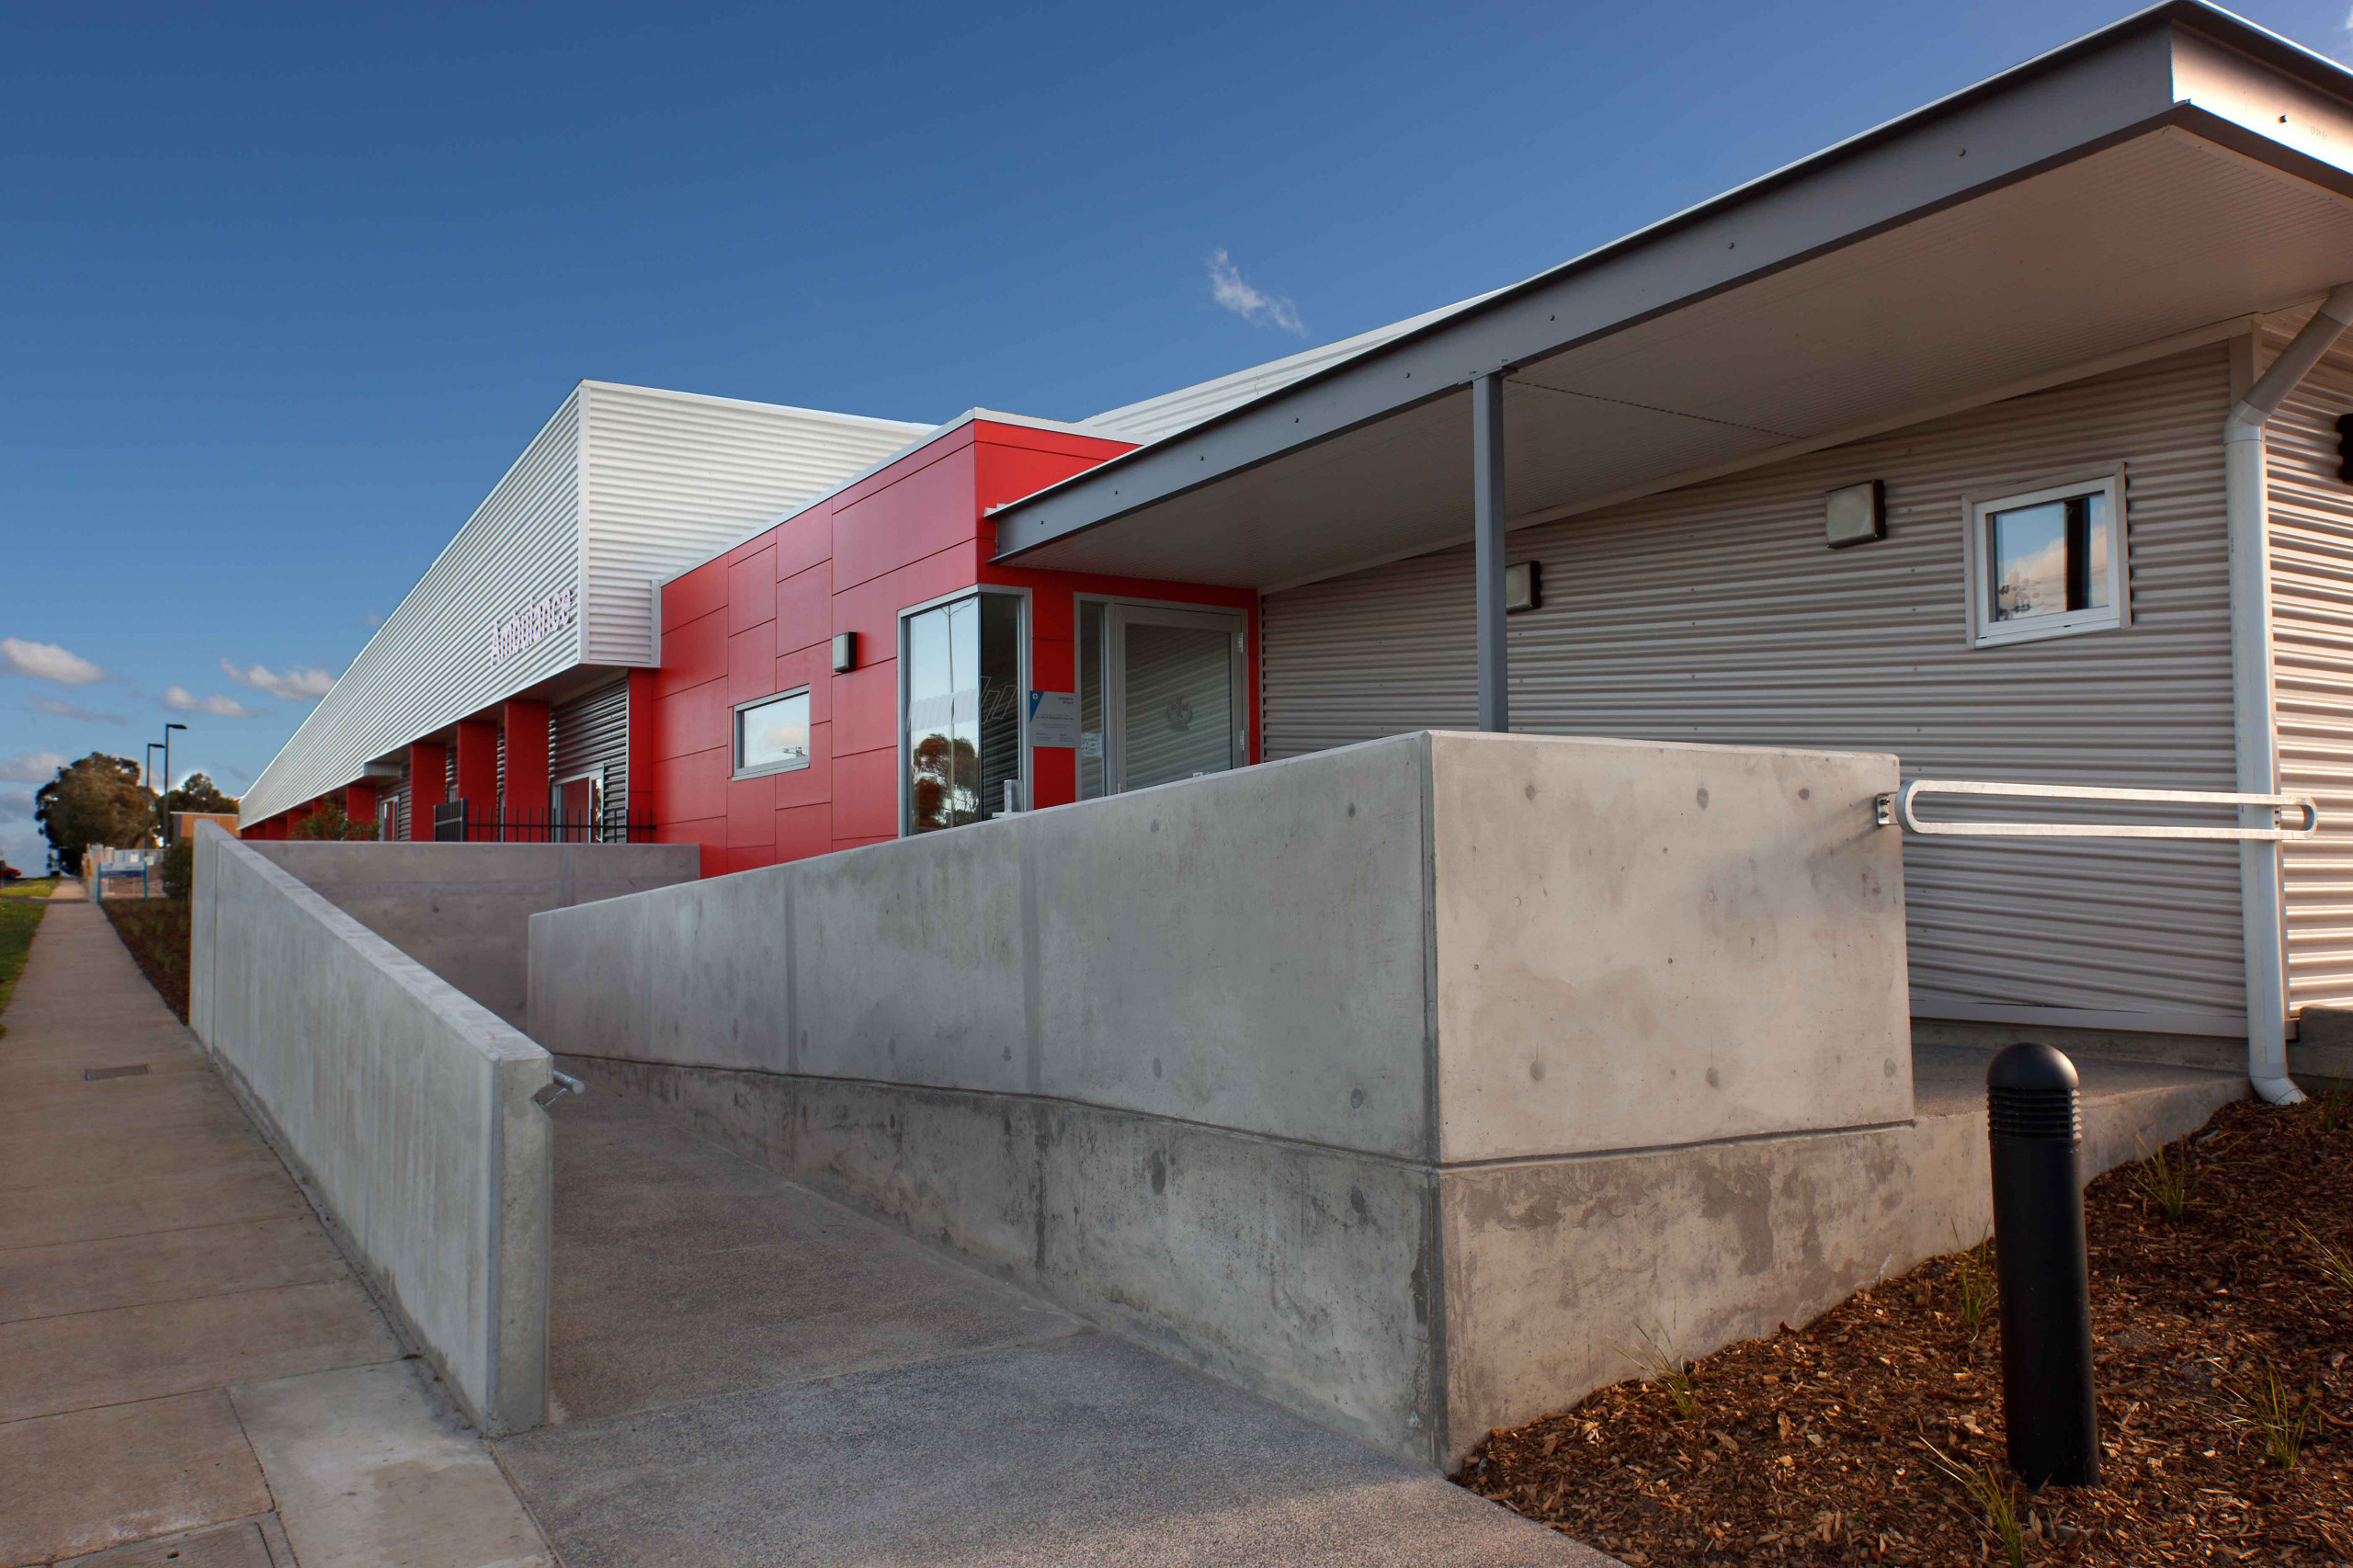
1717	616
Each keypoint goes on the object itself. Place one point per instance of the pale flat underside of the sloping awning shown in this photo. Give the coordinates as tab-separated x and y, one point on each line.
2124	248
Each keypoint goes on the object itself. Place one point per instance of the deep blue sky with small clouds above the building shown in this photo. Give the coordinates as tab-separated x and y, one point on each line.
284	291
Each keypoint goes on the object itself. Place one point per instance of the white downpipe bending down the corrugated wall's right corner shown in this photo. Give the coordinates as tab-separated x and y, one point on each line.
2255	719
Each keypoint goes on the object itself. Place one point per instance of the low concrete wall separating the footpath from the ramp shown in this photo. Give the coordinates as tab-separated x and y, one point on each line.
406	1110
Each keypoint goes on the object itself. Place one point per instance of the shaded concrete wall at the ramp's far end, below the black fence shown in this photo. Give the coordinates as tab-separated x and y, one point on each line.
465	910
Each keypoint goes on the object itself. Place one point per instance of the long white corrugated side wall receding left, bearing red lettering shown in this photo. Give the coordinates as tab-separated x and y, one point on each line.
432	660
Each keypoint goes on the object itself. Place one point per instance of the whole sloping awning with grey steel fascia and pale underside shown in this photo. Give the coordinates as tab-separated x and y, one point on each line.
2152	185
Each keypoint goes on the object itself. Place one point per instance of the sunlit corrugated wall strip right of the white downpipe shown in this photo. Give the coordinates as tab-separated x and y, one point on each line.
2312	616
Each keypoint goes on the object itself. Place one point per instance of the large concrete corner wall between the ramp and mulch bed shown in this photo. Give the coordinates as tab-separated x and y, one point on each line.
1225	1063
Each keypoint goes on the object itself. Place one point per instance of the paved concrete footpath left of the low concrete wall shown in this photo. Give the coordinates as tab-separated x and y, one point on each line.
189	1371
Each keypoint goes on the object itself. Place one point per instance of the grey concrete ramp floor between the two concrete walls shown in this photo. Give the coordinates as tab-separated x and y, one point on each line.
749	1374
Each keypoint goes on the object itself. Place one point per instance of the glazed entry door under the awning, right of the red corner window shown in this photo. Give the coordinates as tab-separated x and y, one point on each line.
1161	696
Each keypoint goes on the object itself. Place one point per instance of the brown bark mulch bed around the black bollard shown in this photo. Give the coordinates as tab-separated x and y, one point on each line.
2222	1338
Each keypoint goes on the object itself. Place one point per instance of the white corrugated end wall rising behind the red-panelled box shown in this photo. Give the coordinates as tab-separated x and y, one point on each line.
679	479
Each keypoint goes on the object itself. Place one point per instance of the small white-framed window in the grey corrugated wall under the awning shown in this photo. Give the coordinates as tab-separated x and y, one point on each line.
2051	564
